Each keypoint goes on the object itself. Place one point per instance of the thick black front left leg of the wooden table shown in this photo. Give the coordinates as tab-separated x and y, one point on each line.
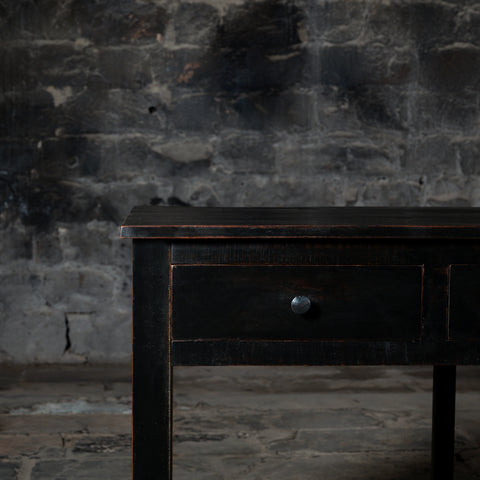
152	369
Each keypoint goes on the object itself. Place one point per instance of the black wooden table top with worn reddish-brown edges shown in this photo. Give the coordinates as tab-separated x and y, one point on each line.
322	222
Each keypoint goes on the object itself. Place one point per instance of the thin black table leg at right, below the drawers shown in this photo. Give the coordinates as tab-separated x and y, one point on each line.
443	421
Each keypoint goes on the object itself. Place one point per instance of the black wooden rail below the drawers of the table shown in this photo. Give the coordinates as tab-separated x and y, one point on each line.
275	352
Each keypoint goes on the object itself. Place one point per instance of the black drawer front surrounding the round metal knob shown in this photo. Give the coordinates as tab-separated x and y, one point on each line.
254	302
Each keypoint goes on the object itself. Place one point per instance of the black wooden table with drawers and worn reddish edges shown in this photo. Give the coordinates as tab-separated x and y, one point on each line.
299	286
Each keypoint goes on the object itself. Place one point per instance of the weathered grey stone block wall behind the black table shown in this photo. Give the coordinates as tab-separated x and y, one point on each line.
108	104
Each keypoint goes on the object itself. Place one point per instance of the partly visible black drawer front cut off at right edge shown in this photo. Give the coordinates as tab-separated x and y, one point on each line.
464	302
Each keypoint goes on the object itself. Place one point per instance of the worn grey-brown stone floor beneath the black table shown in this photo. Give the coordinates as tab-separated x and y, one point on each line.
255	423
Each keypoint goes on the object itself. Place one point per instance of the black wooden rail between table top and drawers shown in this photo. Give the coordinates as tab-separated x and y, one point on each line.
431	252
